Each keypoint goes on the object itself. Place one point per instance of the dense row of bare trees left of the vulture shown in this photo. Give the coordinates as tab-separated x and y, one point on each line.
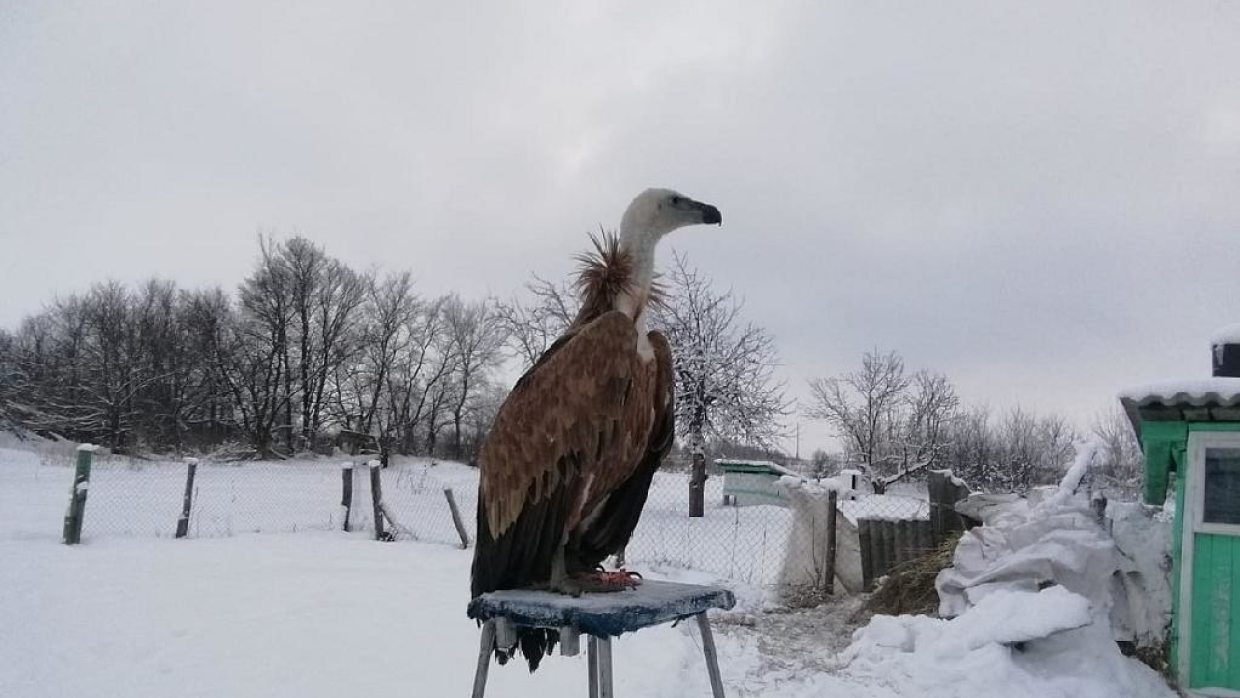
307	351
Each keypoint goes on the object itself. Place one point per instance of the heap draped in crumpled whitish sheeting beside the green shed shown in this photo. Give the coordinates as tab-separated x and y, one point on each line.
1060	541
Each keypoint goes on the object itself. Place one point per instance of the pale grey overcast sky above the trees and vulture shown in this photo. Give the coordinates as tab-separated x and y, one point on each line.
1041	200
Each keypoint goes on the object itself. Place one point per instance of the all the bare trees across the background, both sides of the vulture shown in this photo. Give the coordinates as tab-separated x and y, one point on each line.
309	353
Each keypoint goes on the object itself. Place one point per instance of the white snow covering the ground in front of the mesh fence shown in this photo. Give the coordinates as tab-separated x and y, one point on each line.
327	614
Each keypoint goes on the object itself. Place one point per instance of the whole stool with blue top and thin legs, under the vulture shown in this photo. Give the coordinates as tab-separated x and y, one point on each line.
601	618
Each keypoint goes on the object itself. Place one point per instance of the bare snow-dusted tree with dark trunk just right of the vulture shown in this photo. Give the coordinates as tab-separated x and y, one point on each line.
725	370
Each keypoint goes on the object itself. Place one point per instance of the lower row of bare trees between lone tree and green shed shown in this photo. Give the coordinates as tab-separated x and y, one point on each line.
896	423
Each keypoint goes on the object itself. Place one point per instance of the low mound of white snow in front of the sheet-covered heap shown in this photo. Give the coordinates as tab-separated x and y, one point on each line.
1011	644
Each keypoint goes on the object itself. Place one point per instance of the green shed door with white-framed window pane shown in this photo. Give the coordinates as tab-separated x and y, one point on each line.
1211	587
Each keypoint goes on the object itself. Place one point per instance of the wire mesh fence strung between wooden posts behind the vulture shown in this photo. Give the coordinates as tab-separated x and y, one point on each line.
750	542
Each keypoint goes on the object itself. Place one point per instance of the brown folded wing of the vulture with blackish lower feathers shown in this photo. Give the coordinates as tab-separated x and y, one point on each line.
577	423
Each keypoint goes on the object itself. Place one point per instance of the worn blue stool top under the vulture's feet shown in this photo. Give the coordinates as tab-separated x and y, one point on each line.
603	616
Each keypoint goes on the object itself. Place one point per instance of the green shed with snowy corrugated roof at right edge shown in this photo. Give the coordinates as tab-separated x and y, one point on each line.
1191	432
